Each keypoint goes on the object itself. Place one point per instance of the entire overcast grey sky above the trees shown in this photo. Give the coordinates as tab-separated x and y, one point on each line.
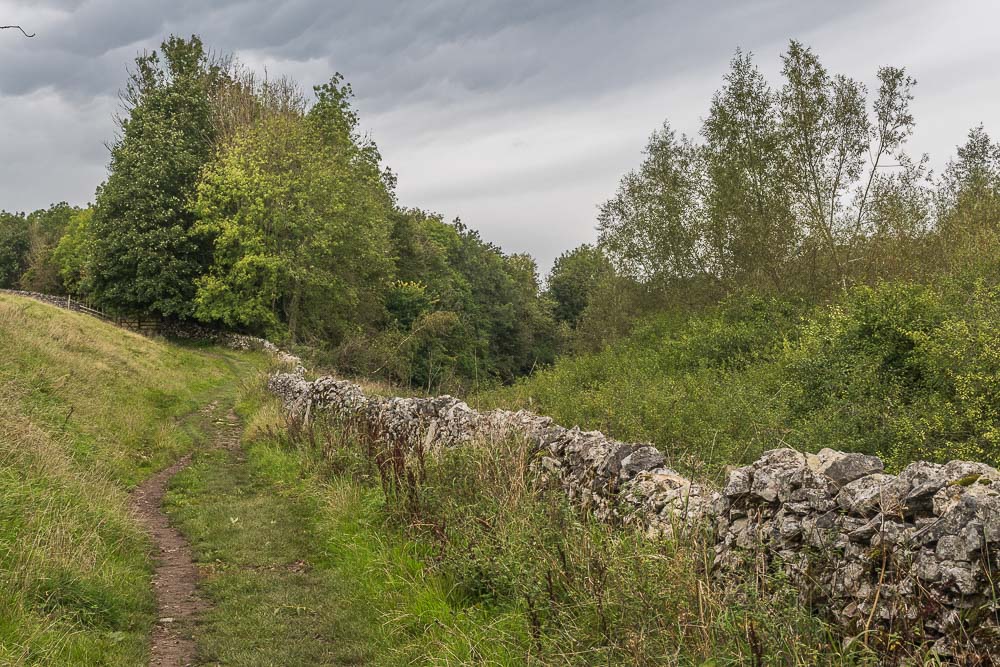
518	116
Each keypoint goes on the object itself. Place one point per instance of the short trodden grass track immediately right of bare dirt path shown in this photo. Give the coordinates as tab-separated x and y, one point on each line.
274	596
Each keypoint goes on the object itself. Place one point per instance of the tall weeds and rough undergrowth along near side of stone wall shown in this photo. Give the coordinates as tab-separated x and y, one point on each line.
469	557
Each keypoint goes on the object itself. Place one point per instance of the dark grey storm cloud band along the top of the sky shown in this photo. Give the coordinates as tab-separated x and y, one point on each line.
399	50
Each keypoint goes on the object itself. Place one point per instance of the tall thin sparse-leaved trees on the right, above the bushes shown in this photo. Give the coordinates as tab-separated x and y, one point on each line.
799	190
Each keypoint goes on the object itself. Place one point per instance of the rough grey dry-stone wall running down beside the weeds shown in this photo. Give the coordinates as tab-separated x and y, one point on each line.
916	552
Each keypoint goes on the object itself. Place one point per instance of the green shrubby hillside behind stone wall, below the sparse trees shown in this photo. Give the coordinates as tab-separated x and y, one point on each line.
900	370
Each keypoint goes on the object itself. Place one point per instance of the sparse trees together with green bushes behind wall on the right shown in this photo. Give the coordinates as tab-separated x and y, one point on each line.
792	277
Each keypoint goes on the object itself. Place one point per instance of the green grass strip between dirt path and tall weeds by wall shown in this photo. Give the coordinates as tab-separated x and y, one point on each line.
302	568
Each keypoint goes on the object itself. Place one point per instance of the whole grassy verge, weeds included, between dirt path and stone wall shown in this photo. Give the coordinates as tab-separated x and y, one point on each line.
468	560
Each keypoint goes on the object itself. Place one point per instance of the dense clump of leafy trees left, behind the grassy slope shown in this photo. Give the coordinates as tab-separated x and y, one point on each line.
234	201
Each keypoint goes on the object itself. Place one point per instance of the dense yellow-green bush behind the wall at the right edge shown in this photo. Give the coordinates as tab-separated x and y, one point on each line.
904	371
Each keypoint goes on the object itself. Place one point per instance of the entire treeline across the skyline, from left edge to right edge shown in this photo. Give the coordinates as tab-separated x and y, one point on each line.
235	201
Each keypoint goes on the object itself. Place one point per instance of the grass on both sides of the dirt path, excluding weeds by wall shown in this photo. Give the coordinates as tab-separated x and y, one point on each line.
299	565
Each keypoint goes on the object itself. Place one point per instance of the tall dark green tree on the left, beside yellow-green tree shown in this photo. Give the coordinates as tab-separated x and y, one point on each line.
145	258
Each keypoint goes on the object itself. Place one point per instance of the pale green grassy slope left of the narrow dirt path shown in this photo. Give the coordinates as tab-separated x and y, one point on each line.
86	412
